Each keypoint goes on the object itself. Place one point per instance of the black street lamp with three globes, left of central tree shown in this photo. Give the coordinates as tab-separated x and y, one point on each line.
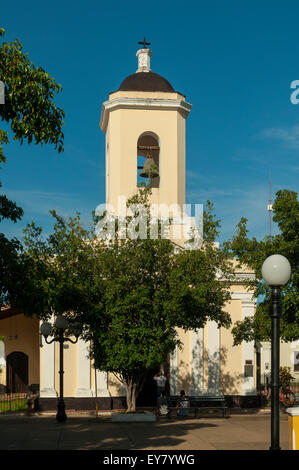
59	328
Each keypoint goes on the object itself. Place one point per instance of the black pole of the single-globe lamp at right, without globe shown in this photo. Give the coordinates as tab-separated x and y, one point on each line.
275	313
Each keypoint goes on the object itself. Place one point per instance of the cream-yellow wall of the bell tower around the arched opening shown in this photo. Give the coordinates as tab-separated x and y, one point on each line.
125	127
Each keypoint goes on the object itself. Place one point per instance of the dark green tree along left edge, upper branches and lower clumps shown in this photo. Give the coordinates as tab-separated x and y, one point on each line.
30	112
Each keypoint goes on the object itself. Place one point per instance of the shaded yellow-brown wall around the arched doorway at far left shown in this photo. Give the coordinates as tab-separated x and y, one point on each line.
21	334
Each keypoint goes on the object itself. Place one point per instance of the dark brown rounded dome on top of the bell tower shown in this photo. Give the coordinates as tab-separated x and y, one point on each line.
146	81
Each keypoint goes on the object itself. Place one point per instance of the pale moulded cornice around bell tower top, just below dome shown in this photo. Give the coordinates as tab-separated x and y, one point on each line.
181	106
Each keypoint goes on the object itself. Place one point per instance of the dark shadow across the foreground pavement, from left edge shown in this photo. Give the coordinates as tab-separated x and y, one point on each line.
88	433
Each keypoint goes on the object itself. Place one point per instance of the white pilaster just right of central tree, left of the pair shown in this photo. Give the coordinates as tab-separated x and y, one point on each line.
197	361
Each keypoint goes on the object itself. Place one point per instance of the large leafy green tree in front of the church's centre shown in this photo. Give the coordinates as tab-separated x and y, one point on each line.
131	294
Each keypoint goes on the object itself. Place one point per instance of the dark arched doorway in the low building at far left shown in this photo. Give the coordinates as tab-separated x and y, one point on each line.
17	372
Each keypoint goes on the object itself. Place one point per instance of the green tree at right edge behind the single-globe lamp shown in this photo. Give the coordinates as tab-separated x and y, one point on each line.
253	253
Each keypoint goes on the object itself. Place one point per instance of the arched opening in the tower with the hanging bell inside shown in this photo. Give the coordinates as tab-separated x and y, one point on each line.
148	159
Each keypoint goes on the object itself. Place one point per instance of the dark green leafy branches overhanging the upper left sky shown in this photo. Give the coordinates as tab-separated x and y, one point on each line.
29	94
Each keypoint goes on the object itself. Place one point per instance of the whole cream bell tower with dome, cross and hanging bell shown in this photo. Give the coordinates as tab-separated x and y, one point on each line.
144	122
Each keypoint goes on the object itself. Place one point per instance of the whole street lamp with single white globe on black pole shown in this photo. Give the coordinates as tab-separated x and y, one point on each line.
276	272
